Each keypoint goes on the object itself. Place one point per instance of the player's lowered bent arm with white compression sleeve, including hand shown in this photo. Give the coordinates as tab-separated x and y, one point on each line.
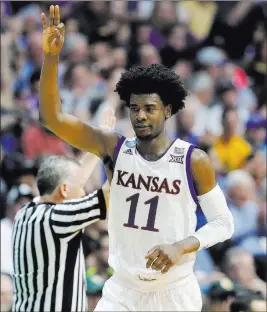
219	228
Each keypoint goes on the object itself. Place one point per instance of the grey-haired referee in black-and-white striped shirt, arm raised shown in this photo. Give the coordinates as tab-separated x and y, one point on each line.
48	259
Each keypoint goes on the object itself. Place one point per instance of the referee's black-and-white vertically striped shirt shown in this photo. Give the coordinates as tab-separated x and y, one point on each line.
49	268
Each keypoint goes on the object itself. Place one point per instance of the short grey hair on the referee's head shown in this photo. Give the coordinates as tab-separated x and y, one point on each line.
53	169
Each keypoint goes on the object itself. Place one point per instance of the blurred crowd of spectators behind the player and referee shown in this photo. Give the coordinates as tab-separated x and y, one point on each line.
219	50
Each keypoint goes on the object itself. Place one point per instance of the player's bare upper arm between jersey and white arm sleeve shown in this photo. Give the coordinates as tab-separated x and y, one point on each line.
202	171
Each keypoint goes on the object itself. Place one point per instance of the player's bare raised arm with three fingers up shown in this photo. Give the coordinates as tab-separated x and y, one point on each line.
67	127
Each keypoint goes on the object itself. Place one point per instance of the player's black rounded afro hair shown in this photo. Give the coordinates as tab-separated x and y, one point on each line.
155	78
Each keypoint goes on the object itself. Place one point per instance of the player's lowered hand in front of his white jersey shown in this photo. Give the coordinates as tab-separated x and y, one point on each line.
163	257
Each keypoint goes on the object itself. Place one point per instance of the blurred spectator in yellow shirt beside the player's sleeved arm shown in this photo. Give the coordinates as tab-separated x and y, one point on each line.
231	149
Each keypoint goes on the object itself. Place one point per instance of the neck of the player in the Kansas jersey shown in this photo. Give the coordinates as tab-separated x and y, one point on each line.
154	149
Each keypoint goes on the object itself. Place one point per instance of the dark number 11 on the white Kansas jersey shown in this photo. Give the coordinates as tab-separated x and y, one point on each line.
153	205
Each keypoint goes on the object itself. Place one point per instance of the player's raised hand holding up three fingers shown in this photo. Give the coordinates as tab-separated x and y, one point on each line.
53	32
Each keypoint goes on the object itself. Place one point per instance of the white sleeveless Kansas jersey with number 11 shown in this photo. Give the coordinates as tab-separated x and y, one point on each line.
151	203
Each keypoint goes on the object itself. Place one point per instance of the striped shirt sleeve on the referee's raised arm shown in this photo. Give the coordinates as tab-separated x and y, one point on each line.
73	215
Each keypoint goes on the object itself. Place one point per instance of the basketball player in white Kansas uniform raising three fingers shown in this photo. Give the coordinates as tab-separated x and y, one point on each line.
156	185
